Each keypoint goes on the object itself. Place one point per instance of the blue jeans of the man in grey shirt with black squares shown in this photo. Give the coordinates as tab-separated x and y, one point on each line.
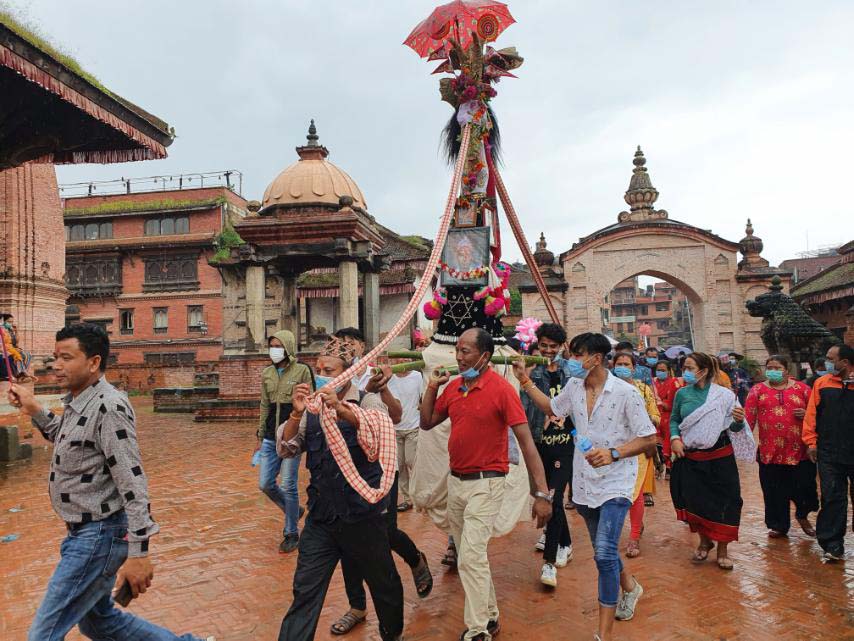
79	590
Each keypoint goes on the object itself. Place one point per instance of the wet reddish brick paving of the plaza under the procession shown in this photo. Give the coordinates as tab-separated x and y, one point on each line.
218	570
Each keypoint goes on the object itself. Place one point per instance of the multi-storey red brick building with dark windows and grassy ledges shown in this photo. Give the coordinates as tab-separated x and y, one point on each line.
137	264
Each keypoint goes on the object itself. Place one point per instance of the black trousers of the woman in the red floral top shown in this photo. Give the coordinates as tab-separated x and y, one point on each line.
782	484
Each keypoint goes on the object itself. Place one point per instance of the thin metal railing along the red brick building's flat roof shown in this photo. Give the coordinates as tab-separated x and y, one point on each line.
230	179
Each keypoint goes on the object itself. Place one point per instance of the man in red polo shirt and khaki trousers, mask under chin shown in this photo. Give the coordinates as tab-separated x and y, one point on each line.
481	406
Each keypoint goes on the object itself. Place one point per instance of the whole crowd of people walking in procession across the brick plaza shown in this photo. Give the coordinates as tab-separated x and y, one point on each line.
596	427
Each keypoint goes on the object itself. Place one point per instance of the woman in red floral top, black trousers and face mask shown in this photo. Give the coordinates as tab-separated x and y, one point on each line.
777	407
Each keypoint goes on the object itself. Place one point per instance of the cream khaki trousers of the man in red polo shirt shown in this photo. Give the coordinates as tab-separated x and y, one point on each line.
472	509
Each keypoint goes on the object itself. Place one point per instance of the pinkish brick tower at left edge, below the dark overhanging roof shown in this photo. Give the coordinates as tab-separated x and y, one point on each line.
32	263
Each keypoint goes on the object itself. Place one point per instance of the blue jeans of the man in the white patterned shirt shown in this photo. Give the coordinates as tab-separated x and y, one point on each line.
605	524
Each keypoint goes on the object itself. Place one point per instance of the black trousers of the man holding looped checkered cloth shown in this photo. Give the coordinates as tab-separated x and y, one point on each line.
321	546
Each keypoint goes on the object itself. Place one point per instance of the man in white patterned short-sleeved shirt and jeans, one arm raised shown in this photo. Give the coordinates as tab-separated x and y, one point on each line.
611	414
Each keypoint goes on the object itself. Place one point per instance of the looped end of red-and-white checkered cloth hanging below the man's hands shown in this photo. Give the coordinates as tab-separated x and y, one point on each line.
376	437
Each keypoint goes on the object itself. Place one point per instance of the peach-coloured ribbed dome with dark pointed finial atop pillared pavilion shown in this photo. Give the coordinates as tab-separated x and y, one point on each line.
312	180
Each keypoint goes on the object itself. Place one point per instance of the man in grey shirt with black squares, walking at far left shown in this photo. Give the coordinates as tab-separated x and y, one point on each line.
98	488
